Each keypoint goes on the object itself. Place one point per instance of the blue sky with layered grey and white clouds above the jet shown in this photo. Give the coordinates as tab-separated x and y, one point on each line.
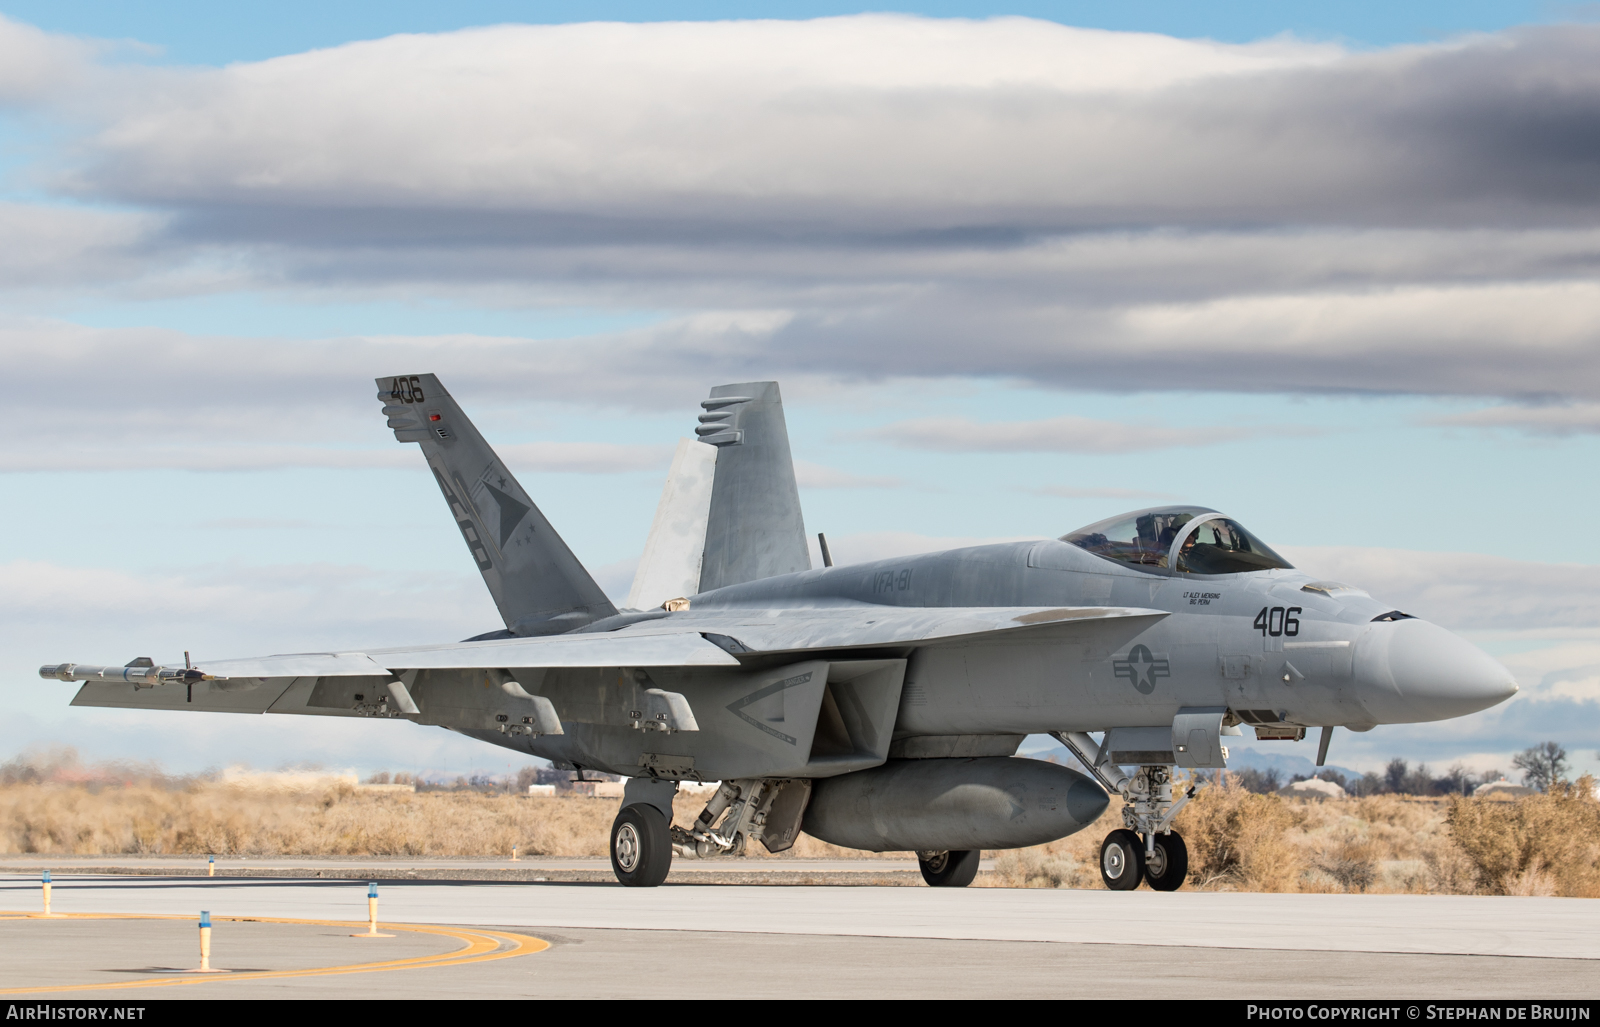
1327	268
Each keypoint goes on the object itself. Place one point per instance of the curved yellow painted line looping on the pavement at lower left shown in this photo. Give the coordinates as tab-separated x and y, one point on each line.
478	946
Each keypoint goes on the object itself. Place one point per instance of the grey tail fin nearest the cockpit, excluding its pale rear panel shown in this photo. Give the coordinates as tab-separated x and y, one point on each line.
754	529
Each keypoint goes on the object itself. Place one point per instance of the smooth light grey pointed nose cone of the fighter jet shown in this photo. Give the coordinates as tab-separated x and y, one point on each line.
1418	671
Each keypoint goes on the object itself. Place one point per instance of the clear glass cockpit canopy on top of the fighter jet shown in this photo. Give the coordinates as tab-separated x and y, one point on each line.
1186	540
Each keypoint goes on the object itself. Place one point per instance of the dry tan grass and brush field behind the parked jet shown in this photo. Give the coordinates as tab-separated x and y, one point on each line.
1238	841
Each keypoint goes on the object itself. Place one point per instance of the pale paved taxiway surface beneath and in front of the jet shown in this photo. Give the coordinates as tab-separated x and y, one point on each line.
798	941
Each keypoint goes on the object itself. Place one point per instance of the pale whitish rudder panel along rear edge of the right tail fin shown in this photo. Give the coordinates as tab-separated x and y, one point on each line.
671	565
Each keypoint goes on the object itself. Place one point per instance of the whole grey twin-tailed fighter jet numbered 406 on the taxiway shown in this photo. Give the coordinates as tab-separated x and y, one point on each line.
873	706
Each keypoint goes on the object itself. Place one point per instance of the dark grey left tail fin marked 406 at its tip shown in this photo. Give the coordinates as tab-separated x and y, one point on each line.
537	581
